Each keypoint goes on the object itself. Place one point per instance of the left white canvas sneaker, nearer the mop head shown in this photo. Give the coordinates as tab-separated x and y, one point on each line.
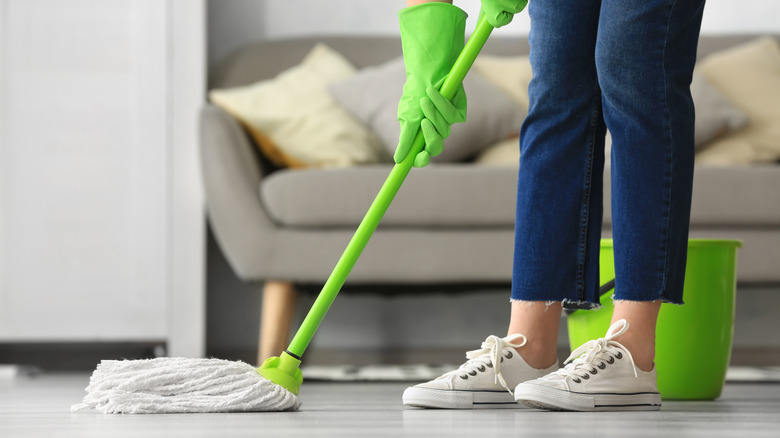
484	381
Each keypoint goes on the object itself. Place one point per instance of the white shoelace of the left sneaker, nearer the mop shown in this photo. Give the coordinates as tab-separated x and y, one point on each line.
490	355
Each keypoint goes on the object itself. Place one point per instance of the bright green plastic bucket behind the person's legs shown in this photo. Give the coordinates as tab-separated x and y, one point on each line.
693	341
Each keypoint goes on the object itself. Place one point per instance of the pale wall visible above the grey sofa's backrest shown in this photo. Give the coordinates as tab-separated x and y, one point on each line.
232	23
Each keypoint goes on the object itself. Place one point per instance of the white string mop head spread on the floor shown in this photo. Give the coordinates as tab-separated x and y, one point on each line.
179	385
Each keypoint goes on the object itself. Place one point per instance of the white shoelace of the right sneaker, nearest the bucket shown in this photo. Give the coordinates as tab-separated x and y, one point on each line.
595	355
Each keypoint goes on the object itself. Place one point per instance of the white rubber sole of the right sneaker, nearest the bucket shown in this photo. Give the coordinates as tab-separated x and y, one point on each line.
544	397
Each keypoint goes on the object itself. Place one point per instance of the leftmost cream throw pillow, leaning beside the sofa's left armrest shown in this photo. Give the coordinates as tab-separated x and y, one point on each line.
295	121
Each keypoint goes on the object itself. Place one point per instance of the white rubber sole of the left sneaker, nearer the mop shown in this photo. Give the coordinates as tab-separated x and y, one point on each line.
452	399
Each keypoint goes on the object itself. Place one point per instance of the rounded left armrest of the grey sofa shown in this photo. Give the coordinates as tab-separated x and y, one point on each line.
232	173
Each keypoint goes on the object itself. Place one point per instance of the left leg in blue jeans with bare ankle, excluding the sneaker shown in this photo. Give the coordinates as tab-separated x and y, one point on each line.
559	194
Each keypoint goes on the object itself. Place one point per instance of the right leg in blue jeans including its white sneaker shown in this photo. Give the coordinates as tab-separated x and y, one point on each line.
644	57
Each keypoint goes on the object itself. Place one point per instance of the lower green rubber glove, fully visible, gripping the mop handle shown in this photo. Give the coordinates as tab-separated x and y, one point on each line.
432	36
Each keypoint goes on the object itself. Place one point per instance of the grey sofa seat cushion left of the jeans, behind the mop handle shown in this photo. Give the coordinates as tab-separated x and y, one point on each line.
454	195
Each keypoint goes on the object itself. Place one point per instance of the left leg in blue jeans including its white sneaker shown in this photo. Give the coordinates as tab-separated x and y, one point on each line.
560	177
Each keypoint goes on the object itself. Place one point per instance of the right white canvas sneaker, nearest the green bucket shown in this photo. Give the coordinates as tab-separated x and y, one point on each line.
600	375
